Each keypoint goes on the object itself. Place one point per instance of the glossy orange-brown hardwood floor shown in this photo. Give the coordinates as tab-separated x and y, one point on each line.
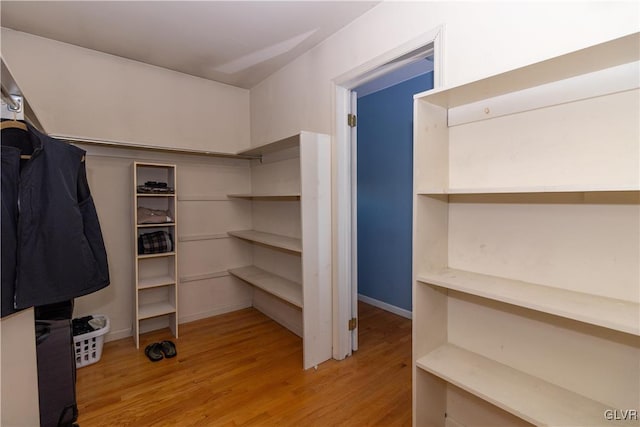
243	369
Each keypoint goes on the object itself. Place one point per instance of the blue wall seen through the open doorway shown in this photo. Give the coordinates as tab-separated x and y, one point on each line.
385	191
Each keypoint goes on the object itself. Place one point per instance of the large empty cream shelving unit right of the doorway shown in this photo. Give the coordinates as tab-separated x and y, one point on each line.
527	245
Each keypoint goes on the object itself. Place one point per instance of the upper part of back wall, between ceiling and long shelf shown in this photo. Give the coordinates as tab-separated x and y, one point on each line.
80	92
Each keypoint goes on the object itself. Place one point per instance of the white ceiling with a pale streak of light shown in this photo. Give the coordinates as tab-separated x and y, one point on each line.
235	42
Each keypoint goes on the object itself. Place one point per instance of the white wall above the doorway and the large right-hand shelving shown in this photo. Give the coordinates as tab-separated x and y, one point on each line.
480	39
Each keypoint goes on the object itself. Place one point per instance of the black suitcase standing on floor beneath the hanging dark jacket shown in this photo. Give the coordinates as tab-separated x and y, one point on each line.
56	373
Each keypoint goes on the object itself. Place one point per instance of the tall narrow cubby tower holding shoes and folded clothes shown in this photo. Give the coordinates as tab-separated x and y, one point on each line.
156	274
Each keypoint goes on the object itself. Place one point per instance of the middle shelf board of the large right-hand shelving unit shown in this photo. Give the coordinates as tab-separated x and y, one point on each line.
610	313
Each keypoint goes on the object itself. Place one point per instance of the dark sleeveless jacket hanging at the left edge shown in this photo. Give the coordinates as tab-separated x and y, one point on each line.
52	246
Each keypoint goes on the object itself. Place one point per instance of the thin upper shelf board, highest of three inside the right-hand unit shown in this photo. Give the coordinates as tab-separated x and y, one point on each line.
532	189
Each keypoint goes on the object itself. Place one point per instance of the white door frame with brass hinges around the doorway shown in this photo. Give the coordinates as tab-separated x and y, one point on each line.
344	186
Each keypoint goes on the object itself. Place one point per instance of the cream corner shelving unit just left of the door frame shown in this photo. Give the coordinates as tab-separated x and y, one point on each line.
291	238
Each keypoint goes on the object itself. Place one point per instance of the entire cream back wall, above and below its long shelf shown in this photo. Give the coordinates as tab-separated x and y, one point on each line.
82	93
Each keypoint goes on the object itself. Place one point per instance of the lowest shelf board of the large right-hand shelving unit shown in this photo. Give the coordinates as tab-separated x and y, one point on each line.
523	395
